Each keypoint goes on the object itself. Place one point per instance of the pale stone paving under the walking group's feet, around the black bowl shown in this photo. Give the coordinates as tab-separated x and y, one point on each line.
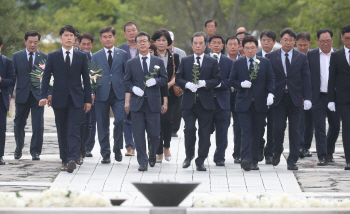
114	180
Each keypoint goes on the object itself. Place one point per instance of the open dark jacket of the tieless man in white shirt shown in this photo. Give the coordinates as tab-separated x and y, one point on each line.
313	57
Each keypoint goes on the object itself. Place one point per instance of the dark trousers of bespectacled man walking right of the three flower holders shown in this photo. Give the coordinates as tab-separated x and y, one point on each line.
286	109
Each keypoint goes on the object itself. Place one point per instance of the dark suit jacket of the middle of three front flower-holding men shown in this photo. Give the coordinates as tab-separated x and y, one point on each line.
209	71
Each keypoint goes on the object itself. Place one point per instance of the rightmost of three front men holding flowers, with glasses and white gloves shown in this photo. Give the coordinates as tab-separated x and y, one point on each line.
253	77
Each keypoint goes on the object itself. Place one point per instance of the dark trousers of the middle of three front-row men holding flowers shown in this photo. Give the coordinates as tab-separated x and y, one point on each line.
205	120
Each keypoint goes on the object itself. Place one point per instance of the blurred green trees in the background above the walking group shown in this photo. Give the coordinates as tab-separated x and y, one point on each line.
183	17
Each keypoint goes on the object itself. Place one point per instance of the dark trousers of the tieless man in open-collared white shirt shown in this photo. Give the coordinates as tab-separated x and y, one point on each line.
325	144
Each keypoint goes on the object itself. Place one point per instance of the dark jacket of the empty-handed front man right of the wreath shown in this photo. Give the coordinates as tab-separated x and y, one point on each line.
66	82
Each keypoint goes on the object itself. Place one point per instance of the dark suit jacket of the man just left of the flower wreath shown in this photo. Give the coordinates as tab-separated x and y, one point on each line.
24	83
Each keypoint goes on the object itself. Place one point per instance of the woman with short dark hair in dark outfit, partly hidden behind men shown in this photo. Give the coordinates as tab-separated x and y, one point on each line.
171	61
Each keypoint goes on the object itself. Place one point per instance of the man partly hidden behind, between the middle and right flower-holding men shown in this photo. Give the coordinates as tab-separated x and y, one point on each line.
221	119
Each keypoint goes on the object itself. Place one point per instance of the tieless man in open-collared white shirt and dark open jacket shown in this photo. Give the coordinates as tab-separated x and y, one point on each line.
319	67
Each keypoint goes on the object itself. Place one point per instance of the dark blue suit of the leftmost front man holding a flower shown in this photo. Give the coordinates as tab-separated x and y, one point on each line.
145	111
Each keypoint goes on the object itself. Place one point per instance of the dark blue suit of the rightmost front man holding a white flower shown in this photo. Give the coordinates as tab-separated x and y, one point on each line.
251	103
